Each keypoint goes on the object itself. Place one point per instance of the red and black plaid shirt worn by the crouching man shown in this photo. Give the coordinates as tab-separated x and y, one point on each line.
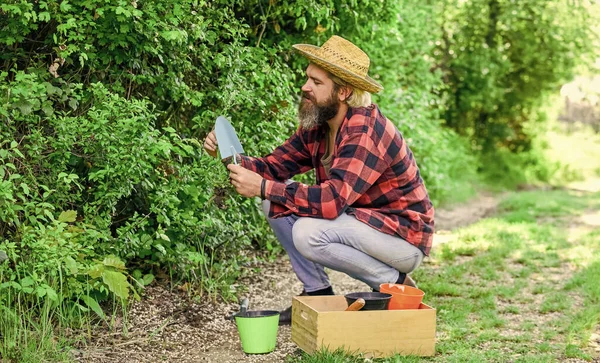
373	177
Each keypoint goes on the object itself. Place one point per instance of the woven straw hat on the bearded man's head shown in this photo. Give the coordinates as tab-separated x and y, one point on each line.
343	59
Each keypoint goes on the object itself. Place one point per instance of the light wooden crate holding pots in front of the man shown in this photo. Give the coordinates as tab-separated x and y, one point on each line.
320	321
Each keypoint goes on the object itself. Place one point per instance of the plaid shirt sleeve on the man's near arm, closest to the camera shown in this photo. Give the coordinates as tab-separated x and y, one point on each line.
359	164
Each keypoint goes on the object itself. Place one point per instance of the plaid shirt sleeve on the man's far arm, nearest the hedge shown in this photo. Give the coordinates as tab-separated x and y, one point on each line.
291	158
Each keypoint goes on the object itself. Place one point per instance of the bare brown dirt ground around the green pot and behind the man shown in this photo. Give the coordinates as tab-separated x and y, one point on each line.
166	326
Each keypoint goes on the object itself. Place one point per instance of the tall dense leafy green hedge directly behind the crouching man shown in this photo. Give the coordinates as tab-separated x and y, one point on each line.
110	99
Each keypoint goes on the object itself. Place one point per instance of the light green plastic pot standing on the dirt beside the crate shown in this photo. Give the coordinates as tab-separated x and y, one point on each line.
258	330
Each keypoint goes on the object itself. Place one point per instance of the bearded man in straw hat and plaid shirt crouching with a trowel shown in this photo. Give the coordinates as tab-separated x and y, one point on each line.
369	214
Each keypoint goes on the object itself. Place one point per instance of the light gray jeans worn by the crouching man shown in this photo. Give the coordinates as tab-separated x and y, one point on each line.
344	244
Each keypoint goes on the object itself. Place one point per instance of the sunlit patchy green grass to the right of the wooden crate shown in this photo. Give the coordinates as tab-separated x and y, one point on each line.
515	287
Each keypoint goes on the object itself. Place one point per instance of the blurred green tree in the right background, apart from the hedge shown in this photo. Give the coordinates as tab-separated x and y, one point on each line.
500	60
